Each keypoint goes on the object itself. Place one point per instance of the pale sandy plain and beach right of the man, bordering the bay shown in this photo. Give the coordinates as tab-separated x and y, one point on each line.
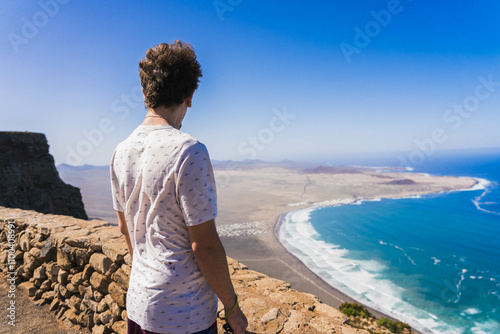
252	202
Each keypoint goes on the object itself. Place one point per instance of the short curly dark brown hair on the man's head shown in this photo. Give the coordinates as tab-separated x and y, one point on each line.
169	74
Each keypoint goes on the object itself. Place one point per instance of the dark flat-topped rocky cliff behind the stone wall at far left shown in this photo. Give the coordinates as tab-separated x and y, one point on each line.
29	178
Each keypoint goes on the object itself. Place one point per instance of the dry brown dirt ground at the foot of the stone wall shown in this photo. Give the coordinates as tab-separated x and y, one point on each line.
30	319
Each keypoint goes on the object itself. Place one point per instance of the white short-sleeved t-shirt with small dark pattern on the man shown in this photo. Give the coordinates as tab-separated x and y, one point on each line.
162	179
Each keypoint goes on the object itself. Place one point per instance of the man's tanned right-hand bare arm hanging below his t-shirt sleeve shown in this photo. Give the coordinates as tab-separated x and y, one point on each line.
211	258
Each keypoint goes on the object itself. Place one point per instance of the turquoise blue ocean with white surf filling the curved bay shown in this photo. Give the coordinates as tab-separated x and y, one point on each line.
432	261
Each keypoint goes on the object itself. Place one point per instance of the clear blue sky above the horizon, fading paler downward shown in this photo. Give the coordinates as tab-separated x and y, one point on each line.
281	79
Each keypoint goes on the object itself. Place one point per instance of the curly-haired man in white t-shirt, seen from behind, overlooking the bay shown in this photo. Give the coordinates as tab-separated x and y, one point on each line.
165	199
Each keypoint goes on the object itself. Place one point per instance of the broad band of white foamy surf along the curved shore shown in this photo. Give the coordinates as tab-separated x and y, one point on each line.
360	279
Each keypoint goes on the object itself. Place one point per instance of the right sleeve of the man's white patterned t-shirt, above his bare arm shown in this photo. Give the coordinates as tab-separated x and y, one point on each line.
196	190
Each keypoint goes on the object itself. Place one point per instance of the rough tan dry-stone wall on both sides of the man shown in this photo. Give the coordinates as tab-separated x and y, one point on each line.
81	268
